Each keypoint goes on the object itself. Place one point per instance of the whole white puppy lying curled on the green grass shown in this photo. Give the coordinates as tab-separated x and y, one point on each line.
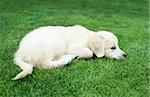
55	46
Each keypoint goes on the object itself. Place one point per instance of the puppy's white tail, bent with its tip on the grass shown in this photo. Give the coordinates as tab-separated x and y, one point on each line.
27	68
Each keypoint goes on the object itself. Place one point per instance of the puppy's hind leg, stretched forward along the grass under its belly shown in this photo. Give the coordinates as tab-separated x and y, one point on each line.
63	60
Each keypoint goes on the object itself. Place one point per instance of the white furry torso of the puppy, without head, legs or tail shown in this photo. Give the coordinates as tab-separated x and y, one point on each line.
48	43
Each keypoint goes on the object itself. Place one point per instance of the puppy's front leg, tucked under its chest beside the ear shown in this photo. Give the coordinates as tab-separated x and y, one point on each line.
82	53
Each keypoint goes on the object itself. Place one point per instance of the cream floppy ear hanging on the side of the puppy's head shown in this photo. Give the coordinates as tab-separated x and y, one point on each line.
96	44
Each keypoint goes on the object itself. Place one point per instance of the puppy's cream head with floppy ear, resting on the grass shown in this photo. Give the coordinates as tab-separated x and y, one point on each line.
105	44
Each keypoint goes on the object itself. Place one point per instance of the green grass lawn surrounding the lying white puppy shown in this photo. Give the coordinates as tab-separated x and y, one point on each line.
128	19
